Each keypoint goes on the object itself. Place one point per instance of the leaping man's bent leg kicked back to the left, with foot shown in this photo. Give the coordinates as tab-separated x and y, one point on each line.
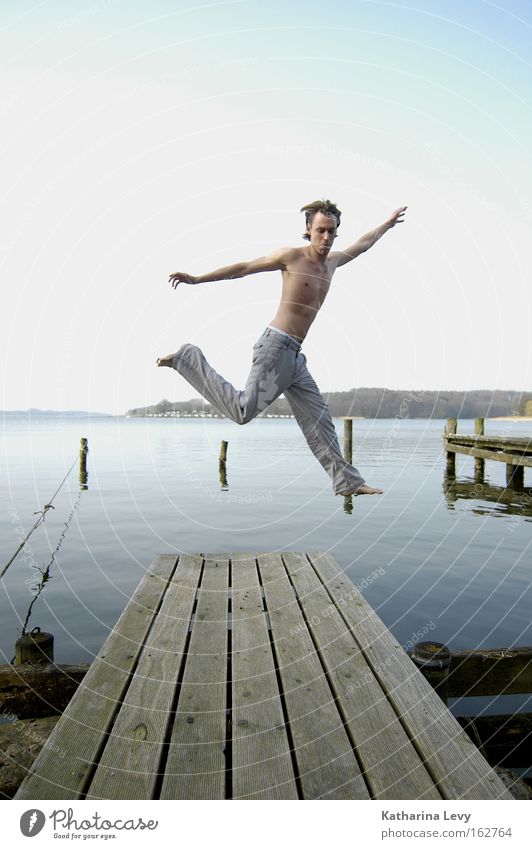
272	369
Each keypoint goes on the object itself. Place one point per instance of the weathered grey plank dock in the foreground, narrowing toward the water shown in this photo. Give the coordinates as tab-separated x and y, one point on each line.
255	677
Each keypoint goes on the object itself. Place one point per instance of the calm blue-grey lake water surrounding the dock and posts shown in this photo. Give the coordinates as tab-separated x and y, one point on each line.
454	567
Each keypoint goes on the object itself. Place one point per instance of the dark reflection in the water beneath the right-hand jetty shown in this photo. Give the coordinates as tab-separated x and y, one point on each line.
507	501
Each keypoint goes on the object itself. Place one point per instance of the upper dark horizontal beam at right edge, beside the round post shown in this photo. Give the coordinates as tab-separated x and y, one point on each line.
490	672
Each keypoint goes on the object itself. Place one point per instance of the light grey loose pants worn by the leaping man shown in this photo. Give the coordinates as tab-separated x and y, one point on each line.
278	366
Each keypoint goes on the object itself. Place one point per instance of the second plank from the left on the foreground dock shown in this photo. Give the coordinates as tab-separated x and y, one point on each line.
128	767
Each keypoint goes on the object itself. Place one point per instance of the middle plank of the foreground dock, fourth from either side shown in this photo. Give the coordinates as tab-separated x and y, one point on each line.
262	765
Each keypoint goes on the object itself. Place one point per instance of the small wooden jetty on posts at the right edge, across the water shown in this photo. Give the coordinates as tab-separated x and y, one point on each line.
515	451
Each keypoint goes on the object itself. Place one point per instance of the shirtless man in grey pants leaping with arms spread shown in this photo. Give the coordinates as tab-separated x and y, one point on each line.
278	364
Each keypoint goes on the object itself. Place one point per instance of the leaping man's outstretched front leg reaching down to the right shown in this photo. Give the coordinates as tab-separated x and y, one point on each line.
315	421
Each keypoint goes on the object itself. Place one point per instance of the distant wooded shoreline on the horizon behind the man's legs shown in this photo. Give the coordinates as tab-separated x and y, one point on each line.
377	403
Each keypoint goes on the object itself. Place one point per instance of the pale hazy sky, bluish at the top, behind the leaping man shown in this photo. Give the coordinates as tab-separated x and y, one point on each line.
140	138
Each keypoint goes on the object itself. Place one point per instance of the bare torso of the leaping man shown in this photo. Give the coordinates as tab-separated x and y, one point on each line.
306	281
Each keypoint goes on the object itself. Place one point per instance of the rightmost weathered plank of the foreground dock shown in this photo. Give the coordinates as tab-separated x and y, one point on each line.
456	766
